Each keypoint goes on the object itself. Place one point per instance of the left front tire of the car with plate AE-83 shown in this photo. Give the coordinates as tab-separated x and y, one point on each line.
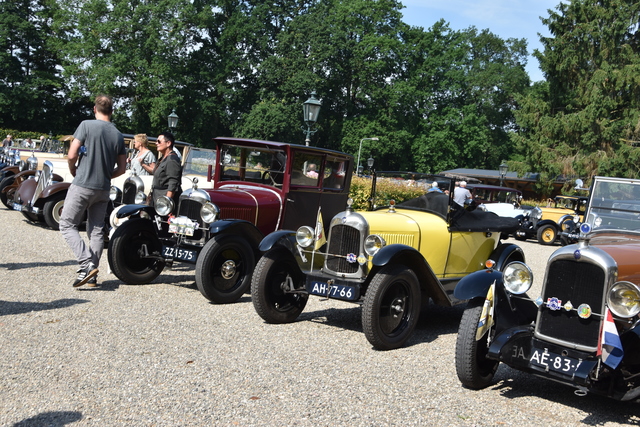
474	370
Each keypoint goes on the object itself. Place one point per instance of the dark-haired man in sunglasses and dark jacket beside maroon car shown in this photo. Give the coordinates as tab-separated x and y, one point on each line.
168	172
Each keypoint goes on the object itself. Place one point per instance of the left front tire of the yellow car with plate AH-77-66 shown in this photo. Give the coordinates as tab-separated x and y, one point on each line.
269	300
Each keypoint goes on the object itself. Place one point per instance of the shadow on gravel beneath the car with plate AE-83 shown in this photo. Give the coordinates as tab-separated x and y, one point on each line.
600	410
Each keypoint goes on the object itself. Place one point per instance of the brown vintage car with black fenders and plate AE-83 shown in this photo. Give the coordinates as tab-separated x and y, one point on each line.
583	329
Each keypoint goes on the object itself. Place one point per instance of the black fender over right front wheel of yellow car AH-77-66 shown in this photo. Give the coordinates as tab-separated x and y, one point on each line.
413	259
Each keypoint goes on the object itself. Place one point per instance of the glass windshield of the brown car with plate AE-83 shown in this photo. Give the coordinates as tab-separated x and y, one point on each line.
614	204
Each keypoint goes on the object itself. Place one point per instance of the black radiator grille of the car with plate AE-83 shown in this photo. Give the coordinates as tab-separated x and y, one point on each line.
578	283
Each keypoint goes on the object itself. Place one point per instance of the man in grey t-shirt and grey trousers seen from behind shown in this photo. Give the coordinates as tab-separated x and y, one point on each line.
96	155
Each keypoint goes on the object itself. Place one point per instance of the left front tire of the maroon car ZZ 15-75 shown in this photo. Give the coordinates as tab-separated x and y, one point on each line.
125	250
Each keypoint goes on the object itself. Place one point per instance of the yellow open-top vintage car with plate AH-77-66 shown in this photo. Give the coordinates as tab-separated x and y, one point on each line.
391	260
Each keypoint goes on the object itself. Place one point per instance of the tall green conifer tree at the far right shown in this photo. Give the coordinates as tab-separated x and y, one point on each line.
585	119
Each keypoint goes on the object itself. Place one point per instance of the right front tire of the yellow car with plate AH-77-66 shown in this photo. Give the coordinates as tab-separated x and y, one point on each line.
391	307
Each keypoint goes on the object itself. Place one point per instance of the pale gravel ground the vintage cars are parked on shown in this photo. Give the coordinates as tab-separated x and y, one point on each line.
162	355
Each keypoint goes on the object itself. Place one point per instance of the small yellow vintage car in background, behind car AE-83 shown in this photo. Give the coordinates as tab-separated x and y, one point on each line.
544	223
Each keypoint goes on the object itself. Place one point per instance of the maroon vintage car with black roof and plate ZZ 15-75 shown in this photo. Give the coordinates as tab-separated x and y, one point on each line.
259	187
